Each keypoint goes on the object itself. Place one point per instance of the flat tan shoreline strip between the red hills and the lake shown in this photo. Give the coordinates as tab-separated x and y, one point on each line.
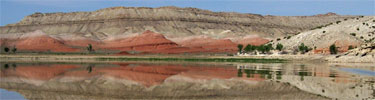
174	58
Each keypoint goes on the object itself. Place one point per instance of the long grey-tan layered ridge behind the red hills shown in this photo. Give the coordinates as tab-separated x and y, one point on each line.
171	21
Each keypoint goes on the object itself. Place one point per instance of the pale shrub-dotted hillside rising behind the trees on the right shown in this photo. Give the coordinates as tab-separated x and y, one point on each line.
351	32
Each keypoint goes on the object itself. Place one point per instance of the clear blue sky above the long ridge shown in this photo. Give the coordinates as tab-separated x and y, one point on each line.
12	11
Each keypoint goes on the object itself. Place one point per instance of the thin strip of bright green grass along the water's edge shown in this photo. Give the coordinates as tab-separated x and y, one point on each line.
249	60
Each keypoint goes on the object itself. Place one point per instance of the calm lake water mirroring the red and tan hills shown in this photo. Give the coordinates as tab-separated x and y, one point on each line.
186	80
